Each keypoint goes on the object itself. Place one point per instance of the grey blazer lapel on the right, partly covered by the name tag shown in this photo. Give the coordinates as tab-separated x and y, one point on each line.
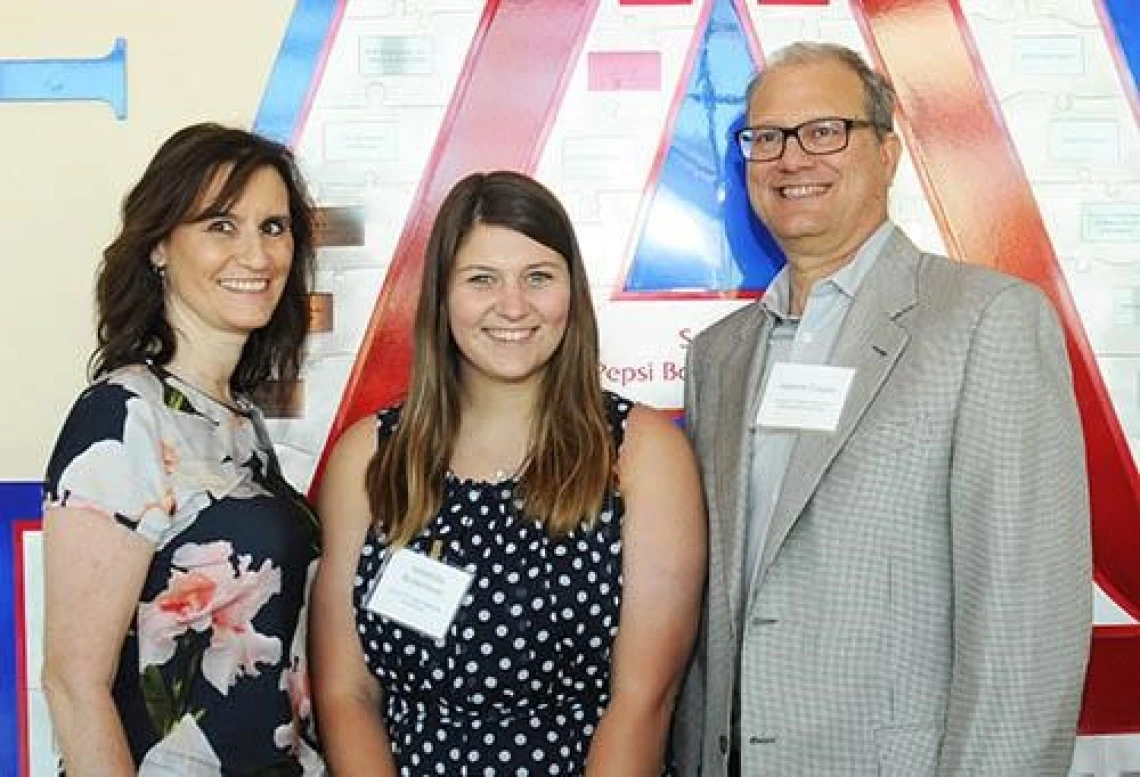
870	343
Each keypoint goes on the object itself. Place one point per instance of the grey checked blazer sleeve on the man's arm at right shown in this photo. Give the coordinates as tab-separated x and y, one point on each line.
1021	544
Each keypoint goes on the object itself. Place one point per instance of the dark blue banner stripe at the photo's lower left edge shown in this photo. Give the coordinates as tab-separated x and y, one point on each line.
19	502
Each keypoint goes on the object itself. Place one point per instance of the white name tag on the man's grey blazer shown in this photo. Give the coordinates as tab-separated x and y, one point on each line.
805	397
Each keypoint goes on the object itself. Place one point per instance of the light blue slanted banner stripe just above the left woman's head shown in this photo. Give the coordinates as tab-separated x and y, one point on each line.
295	70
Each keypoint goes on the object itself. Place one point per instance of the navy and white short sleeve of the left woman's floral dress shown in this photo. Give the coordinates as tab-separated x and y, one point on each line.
111	459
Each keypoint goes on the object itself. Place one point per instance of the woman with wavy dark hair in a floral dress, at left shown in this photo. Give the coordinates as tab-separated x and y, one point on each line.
177	558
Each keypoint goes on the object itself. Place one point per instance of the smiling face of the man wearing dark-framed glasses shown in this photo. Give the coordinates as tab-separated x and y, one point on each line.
820	209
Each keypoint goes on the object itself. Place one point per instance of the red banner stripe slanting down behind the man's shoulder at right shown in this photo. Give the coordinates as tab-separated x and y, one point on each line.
988	215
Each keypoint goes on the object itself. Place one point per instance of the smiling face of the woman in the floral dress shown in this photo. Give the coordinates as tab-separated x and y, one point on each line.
225	273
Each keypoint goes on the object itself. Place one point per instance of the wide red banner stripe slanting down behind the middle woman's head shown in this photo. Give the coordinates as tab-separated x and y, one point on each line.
510	89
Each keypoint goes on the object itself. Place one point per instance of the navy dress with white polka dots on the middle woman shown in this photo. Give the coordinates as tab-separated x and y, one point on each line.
522	680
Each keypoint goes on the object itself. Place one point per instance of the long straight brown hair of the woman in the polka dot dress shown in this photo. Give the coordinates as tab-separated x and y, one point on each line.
571	465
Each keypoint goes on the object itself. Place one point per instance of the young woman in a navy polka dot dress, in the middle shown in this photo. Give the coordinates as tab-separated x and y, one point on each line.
515	557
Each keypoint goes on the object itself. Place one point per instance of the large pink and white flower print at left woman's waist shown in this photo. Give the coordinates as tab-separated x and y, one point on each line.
208	593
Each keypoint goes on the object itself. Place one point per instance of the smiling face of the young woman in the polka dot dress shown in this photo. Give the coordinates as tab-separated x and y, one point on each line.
508	306
